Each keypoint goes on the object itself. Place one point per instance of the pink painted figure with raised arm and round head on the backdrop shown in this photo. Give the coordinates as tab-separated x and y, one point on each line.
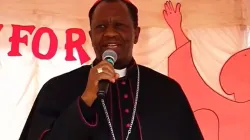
219	118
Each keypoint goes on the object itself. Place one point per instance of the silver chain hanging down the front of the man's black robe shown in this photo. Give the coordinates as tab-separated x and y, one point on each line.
134	109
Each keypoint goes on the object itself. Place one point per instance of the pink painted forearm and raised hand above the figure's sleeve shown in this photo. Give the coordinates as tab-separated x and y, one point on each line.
173	17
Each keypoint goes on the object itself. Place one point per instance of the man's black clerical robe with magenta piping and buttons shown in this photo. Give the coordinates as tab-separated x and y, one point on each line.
163	112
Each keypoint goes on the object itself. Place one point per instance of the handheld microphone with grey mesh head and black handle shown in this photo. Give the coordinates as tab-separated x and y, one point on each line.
103	85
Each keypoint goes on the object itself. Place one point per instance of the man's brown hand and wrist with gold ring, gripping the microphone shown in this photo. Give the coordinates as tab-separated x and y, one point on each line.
102	71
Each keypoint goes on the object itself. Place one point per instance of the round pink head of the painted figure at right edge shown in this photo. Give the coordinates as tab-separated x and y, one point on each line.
235	76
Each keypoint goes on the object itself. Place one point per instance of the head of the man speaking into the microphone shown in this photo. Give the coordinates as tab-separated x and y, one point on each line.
114	25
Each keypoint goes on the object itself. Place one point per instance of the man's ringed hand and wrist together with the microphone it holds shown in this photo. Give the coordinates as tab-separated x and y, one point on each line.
99	78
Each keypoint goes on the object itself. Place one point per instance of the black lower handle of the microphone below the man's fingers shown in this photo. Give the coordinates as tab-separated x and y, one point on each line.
103	88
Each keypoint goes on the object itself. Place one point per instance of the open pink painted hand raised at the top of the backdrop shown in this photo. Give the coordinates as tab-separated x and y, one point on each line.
172	15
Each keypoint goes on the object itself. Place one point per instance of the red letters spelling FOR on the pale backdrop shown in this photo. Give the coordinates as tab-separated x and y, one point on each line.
70	44
